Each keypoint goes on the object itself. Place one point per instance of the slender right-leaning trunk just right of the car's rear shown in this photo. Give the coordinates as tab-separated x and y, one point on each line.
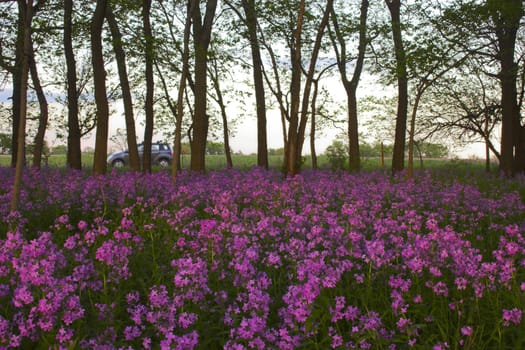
182	88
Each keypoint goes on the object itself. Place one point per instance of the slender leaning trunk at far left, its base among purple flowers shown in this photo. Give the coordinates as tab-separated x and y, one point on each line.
24	66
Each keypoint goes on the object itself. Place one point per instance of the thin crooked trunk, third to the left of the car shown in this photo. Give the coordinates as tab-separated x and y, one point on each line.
44	111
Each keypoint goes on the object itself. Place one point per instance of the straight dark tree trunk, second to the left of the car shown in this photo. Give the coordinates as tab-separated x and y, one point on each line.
74	153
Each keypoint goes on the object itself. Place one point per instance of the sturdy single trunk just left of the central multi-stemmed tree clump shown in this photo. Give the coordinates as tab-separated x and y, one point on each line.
251	23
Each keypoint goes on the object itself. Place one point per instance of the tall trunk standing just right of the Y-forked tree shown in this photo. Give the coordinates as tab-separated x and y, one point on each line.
398	159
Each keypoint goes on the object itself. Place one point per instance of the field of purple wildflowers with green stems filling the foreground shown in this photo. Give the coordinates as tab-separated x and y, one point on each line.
250	260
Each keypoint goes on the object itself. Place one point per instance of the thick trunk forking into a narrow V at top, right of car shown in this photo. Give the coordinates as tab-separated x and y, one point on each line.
202	35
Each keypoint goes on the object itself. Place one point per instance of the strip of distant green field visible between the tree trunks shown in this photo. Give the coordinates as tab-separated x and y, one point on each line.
217	162
